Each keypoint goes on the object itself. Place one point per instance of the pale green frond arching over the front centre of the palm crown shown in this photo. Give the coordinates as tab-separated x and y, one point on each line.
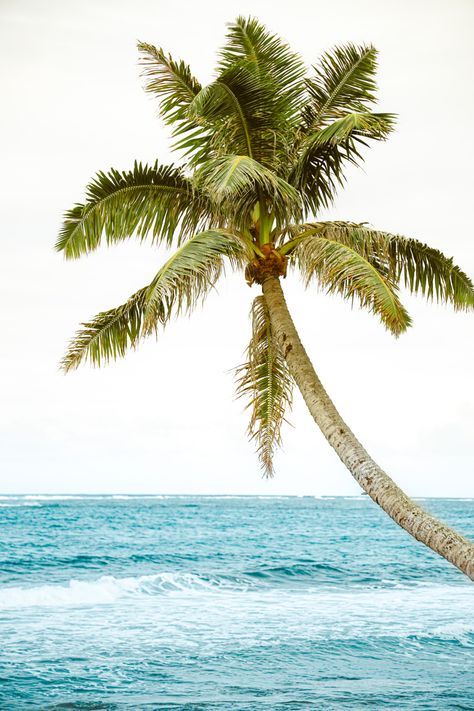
235	182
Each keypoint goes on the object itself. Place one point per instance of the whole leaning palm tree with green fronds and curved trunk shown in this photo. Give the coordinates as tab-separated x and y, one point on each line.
265	148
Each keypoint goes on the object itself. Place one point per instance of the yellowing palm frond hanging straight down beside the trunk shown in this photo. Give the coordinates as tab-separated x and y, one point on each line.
265	380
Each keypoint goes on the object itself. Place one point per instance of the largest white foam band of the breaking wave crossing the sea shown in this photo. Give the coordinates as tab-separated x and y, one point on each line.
415	601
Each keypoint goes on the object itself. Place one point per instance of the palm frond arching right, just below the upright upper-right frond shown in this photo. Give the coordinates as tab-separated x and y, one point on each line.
323	155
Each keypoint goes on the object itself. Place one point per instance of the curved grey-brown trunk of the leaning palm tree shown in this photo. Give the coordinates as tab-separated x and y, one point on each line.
378	485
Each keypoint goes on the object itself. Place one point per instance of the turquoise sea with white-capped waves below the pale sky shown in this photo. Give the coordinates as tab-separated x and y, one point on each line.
229	603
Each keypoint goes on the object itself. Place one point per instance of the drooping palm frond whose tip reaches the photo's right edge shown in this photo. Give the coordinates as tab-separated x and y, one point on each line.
408	262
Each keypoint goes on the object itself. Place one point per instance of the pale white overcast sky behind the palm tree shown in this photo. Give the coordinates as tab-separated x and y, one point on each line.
165	419
